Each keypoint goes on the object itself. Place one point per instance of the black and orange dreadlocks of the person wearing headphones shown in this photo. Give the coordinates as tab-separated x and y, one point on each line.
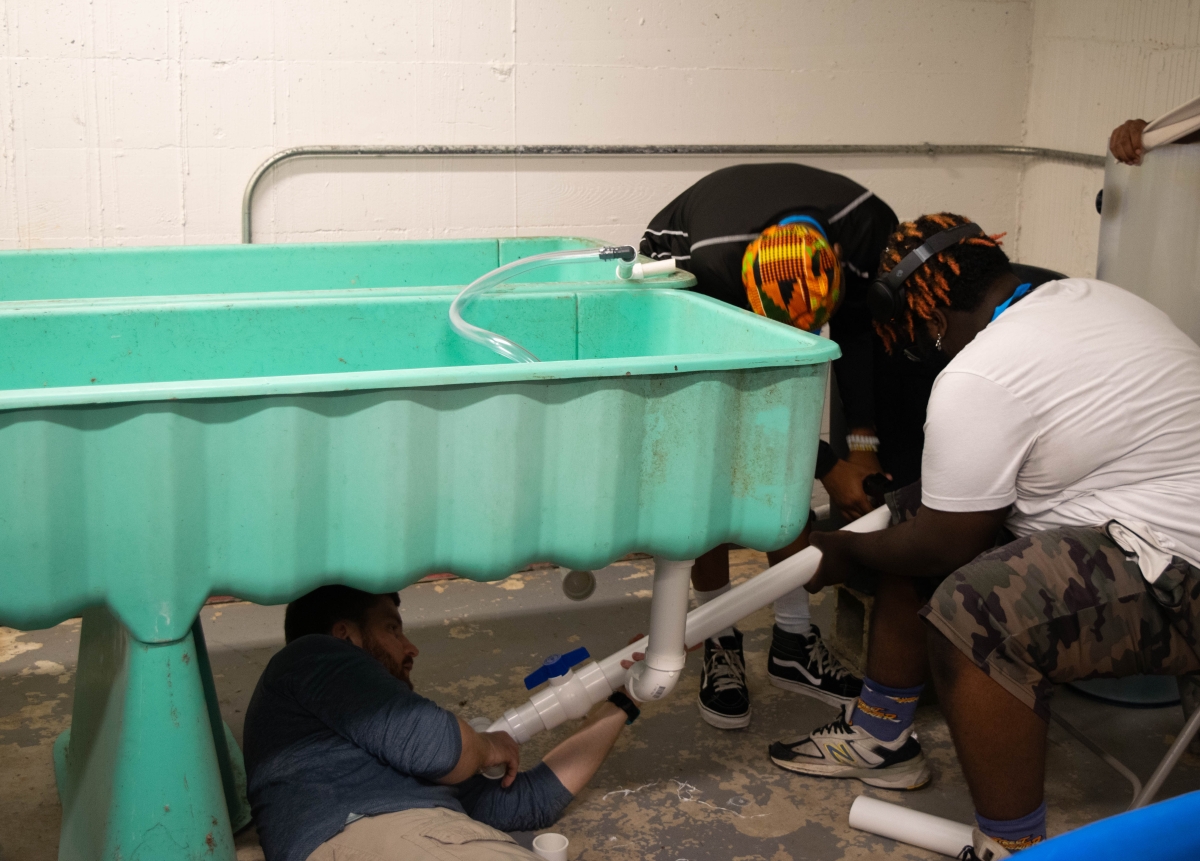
956	279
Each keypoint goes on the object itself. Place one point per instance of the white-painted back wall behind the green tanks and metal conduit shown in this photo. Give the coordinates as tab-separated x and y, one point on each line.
140	122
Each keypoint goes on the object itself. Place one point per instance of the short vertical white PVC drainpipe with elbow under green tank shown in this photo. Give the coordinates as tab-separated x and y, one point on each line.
665	655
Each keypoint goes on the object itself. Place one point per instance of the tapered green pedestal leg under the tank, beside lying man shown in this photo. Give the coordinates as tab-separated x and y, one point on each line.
141	773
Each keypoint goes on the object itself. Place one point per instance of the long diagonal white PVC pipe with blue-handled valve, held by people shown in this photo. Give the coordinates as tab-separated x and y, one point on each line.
595	682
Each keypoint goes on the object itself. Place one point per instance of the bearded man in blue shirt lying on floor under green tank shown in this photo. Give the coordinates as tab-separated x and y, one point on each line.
346	762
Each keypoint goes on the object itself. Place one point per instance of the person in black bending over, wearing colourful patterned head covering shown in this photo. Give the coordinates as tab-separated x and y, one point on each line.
797	245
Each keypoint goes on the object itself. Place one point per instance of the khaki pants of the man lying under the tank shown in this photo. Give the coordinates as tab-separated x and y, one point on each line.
433	834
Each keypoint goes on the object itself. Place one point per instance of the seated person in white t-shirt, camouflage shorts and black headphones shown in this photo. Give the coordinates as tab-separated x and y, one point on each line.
1055	534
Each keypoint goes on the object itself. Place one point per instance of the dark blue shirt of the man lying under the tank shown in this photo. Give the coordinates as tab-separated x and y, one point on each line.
332	734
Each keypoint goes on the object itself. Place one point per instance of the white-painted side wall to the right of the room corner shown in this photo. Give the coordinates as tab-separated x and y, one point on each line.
1095	64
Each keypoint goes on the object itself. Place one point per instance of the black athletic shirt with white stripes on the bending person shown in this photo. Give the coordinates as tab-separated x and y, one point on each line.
707	230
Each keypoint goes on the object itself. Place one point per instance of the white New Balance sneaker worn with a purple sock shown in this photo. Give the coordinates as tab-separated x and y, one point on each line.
843	750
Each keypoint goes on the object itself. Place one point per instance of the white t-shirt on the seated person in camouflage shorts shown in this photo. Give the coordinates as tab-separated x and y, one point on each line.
1081	405
